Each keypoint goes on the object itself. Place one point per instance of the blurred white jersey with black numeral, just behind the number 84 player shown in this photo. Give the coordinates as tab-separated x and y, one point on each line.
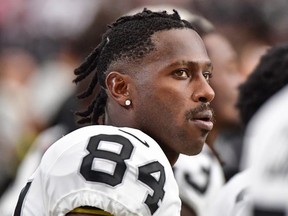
199	178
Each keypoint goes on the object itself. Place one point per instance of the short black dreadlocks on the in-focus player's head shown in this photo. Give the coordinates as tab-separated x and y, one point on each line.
129	39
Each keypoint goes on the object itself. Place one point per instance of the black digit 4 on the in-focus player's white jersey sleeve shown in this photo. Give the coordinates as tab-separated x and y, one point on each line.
157	186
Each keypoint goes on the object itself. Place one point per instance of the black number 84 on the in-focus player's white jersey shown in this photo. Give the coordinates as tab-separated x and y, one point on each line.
145	171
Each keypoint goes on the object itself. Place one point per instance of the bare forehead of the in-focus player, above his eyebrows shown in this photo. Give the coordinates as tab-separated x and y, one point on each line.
179	44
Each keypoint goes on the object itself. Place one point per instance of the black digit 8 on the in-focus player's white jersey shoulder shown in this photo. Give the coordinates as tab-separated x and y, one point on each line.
94	152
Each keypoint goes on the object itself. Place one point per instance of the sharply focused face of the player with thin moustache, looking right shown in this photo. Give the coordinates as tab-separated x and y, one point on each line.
172	92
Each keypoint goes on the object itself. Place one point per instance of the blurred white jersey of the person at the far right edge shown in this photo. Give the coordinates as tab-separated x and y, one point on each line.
268	188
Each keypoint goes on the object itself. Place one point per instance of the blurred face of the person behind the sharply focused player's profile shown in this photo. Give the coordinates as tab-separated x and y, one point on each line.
226	79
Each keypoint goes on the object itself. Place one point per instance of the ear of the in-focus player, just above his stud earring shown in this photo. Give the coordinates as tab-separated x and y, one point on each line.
118	85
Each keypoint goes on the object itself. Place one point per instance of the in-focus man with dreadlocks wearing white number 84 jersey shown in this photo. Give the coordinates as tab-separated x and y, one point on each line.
154	74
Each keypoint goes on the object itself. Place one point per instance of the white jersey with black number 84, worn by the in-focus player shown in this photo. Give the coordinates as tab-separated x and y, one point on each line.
120	170
